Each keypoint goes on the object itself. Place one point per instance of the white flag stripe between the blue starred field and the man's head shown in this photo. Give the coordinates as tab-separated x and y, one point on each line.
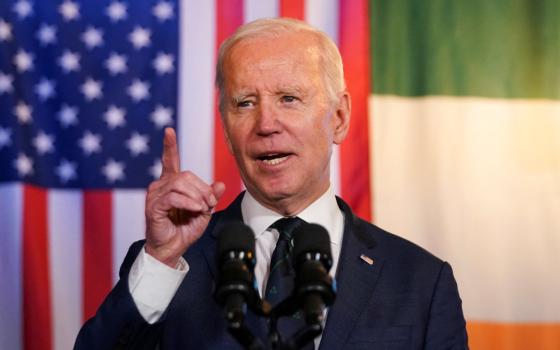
196	87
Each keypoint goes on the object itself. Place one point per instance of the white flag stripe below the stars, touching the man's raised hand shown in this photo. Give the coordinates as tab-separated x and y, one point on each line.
128	223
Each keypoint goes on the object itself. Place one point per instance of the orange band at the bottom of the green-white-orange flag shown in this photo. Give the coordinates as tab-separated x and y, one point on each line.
513	336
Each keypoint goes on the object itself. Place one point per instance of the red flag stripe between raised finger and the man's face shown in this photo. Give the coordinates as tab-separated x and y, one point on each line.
229	16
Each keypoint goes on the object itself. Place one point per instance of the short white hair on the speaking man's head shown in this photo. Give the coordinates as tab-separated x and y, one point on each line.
331	65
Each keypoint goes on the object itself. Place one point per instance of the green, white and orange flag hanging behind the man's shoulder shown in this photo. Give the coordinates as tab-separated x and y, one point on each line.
465	150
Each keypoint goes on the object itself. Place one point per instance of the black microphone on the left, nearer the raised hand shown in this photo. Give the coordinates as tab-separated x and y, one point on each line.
236	288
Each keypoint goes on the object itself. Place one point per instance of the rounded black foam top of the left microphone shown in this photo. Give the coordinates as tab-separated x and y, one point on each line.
236	237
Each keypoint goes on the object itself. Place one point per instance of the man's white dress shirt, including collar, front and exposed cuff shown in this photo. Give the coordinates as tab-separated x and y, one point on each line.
153	284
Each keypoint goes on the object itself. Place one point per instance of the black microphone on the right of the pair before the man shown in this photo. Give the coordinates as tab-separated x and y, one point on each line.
314	288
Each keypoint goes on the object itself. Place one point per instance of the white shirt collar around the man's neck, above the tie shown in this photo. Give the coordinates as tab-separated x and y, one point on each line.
324	211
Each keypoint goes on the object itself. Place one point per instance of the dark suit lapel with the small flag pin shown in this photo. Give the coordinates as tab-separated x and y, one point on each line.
355	280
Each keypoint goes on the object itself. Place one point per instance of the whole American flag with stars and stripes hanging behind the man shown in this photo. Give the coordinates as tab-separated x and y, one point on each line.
86	89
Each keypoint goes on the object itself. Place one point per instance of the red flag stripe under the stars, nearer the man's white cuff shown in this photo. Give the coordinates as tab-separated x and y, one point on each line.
97	249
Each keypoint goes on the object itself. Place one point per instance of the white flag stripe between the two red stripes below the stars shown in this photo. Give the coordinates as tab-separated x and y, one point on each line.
65	226
